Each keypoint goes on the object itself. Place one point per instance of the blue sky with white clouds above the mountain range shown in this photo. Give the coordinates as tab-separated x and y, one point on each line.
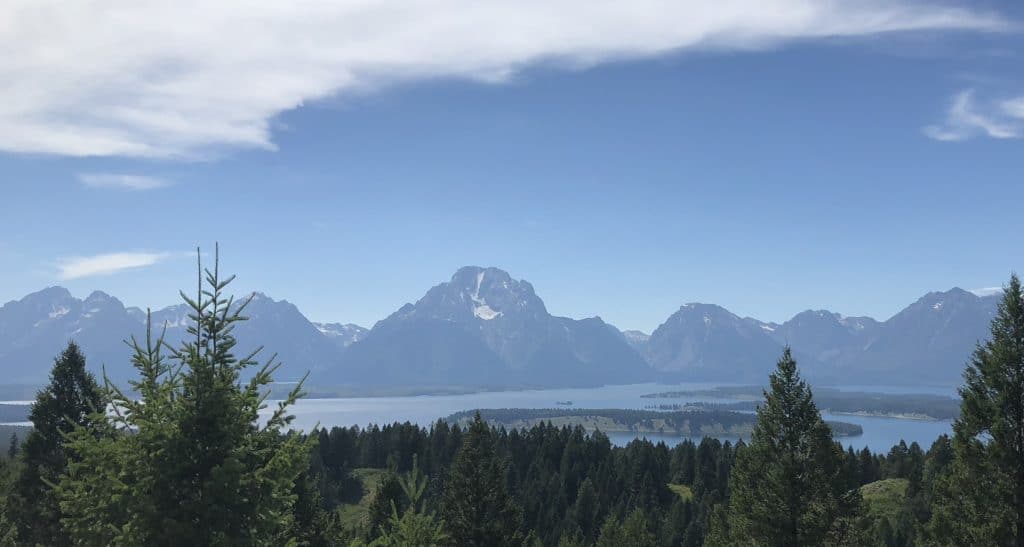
766	167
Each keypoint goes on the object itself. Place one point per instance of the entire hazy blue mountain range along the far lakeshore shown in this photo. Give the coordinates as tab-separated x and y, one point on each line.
485	329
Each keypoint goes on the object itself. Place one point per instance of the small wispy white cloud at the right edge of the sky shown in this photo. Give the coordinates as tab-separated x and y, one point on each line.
967	119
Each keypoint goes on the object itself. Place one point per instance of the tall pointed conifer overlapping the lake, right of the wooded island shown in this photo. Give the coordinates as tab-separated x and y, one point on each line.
787	487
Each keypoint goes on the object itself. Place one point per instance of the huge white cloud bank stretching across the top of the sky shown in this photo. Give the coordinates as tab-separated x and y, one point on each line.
170	79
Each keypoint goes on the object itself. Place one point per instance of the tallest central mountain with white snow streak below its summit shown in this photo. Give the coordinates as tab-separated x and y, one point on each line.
485	328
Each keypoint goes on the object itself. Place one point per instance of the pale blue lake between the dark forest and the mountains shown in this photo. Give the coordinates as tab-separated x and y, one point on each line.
880	434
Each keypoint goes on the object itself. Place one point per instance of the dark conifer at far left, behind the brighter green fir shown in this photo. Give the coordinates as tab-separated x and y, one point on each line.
67	403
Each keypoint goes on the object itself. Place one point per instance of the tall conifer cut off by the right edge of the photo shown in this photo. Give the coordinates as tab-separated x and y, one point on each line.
980	500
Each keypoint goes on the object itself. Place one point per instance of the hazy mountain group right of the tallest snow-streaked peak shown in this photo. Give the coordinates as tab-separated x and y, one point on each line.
929	342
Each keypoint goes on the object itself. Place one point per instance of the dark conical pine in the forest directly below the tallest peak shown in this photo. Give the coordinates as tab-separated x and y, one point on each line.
477	507
